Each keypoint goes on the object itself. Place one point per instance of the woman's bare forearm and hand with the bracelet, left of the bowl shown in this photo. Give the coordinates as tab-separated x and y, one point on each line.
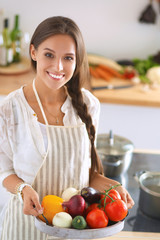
31	205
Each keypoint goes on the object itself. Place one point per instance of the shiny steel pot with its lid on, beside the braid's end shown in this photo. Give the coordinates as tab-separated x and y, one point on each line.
115	153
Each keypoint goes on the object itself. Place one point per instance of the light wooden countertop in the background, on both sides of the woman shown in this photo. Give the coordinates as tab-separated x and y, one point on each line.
129	96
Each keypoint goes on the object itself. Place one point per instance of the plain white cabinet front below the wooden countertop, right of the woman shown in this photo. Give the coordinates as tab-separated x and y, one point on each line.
139	124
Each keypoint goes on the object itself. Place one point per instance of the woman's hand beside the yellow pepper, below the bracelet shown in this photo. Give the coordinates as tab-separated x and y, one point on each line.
31	205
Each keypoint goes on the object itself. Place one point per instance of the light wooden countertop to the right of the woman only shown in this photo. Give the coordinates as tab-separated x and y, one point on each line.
135	95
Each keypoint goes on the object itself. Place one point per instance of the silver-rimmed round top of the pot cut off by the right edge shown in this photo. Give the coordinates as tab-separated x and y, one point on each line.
150	182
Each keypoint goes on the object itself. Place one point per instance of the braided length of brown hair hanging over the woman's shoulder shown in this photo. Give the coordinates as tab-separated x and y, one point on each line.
82	110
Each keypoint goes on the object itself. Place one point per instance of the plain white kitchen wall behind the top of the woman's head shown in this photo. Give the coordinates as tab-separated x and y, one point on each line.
110	28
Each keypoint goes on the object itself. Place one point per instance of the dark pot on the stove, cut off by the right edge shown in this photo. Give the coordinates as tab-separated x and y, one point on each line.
149	198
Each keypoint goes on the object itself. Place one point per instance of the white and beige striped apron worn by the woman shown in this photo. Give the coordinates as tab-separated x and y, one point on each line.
66	165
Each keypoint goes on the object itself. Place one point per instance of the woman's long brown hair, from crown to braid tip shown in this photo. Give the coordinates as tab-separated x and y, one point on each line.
62	25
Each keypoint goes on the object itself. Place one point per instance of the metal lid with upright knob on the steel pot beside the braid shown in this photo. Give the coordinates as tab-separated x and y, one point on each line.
113	144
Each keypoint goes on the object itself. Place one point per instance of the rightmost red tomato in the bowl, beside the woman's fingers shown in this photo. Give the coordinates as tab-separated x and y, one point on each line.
117	210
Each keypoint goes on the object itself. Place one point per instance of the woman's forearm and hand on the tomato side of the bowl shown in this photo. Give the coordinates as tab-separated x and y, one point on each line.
101	183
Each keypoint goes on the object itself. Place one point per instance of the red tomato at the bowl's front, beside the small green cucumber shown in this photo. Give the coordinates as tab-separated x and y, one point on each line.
97	219
